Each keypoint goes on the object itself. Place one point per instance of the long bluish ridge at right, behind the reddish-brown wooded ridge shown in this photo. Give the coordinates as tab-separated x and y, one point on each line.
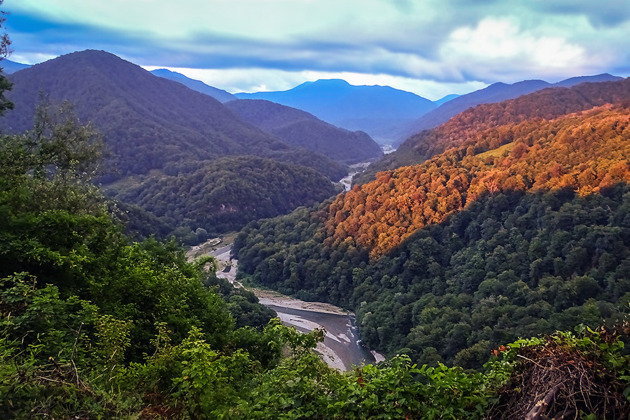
496	92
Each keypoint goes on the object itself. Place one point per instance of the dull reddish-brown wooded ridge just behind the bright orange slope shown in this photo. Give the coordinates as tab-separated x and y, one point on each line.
466	127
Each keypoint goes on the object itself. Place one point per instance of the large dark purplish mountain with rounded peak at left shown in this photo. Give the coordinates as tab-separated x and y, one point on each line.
148	122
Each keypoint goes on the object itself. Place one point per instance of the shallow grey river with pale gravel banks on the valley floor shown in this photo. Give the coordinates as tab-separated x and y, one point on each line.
341	348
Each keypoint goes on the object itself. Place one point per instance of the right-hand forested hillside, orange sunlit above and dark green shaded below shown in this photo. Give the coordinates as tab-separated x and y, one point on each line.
523	231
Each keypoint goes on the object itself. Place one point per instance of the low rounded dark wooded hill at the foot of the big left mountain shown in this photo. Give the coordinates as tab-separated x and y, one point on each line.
226	193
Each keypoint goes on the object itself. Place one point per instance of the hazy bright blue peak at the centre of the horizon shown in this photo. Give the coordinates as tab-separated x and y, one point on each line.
377	110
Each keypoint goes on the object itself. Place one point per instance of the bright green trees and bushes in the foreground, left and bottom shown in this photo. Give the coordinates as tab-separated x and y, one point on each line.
95	325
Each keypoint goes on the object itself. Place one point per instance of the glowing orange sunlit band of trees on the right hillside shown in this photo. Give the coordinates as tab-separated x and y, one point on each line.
585	152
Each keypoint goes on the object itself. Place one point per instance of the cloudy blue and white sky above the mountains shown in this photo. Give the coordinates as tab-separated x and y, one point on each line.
429	47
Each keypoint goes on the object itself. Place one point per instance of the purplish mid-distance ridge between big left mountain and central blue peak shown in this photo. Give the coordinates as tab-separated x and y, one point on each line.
301	129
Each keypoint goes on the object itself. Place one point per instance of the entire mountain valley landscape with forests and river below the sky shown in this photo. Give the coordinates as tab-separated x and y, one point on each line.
488	251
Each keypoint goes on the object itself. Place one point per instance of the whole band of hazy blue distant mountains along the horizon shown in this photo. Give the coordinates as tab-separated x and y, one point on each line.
388	115
